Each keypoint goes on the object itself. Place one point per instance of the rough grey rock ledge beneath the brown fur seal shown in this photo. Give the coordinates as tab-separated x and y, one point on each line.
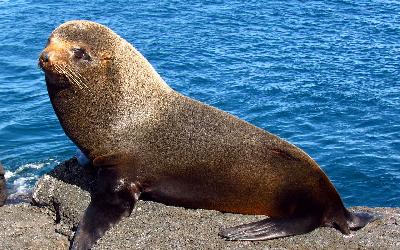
61	196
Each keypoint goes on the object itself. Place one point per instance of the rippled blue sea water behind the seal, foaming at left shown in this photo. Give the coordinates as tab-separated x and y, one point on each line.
324	75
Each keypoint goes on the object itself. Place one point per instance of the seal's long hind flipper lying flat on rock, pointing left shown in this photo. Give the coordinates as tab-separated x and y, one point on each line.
271	228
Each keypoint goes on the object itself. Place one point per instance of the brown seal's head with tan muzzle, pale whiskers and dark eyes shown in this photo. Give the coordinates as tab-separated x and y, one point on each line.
75	52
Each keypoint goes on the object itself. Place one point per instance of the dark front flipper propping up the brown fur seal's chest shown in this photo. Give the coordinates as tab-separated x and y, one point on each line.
112	200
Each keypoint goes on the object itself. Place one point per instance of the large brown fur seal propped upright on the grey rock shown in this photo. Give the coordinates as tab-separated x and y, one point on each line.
149	141
